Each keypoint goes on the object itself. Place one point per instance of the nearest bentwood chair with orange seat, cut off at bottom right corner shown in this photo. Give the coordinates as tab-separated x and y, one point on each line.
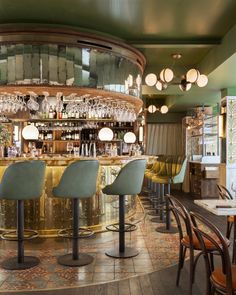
221	280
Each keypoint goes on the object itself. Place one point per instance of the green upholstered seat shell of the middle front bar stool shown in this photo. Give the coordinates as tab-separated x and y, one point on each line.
78	180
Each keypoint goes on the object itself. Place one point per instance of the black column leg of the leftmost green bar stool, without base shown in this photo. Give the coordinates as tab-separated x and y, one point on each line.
20	230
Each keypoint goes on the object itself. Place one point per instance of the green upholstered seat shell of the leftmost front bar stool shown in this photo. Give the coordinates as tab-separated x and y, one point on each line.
23	180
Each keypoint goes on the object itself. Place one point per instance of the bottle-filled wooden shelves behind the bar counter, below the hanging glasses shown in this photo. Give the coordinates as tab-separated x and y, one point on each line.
54	135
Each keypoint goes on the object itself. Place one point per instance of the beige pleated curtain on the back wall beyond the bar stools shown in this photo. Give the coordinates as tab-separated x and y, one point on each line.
164	139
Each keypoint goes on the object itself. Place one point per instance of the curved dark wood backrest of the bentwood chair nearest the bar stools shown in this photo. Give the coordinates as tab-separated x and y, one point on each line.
182	218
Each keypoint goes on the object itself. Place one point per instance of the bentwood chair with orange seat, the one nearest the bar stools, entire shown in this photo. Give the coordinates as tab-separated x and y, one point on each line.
188	240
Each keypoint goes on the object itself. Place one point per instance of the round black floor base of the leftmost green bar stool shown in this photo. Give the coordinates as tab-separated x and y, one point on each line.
13	264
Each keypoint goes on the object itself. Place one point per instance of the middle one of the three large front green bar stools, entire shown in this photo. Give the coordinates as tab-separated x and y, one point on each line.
78	181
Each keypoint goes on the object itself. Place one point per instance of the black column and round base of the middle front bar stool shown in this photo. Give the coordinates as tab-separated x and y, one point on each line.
76	258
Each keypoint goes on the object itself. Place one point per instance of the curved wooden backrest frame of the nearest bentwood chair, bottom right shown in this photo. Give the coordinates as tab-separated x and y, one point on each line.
214	236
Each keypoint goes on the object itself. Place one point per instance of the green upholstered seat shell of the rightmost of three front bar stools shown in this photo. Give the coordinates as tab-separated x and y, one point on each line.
129	180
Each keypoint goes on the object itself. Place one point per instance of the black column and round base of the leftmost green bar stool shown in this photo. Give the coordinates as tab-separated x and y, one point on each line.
21	261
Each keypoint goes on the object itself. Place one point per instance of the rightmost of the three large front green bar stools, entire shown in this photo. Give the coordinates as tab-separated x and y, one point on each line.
128	182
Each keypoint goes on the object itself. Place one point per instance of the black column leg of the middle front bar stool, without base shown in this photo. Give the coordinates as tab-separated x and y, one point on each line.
75	238
